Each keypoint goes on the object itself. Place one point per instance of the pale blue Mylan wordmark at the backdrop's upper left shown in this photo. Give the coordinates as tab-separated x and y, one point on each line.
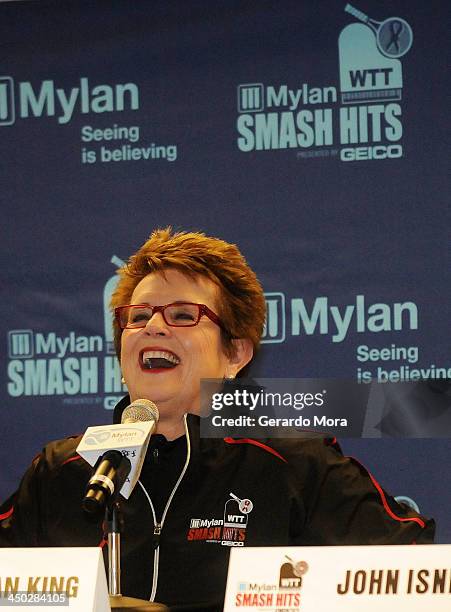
46	99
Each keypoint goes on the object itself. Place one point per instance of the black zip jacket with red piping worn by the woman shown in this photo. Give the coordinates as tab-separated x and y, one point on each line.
217	494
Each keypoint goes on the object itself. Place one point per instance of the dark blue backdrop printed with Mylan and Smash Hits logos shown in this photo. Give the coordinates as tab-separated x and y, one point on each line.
311	133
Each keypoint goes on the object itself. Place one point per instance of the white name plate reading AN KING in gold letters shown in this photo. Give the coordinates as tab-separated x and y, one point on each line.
53	579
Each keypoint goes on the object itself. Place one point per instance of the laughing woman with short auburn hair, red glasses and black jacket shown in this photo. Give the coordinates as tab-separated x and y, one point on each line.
189	307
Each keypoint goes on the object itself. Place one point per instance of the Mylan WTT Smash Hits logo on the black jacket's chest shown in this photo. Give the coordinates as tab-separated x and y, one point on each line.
230	530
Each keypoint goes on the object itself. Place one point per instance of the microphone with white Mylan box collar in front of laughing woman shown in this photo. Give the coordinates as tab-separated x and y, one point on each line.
117	469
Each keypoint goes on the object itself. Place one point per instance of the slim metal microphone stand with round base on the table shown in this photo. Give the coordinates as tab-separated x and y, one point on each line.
118	603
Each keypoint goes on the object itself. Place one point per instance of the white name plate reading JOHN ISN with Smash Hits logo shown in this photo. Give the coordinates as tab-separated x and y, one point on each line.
353	578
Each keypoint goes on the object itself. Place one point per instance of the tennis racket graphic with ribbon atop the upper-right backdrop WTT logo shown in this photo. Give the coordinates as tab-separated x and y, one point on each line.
394	35
